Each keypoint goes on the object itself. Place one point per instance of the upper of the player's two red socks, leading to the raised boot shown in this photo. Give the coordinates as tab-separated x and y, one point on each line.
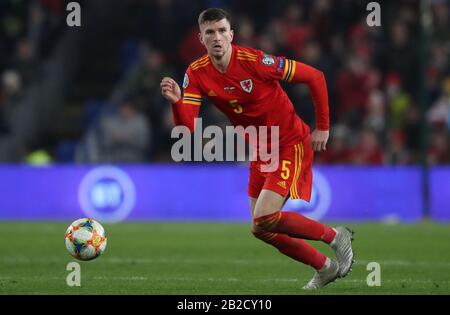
295	225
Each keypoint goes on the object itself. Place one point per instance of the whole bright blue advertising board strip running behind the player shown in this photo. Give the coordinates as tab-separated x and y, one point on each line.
215	192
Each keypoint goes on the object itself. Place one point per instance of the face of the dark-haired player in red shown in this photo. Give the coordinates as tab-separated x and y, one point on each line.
216	36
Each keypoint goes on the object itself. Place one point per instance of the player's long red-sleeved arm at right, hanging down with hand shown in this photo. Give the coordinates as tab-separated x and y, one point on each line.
279	68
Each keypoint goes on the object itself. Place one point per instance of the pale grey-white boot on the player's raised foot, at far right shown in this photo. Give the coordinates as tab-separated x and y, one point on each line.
342	246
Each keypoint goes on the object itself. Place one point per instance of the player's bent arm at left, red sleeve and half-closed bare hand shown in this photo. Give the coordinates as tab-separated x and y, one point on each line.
184	109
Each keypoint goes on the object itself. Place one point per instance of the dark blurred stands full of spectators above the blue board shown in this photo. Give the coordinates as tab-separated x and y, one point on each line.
90	94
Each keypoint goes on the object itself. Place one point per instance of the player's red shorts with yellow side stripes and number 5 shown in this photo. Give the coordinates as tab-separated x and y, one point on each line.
293	175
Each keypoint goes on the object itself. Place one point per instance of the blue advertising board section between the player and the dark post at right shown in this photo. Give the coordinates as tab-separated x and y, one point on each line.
364	194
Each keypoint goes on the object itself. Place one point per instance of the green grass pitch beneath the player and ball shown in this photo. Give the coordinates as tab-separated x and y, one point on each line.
211	258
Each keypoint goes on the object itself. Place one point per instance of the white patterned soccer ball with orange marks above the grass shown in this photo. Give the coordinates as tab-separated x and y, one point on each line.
85	239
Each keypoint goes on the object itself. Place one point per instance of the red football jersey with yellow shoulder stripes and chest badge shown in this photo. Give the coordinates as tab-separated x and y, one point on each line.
249	92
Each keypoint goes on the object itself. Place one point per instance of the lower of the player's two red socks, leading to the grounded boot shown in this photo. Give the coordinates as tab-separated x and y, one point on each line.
293	247
